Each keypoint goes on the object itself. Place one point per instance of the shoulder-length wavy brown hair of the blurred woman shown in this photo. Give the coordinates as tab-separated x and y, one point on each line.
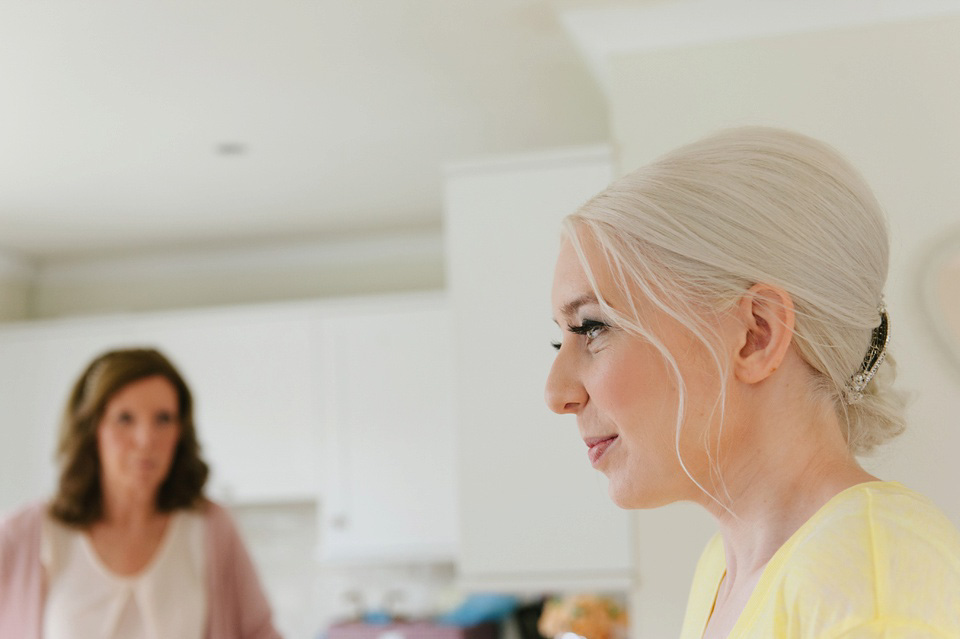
79	501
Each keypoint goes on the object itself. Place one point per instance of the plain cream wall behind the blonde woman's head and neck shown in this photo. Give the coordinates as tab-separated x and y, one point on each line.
888	97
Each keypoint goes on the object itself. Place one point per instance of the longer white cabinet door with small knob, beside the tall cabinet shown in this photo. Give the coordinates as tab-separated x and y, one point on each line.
389	491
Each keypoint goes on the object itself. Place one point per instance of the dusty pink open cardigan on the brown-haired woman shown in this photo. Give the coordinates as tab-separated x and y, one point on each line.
237	607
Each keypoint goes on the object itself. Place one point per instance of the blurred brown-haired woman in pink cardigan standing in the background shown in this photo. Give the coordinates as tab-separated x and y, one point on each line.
129	547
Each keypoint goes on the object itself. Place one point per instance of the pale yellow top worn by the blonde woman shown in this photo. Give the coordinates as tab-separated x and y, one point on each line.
876	561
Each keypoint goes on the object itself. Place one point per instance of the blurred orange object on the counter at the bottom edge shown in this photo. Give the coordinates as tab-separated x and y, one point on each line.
590	616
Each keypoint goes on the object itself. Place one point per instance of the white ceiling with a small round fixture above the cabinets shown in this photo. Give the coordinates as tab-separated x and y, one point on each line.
112	115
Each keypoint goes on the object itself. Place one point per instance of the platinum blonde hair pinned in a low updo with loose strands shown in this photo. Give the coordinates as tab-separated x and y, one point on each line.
694	230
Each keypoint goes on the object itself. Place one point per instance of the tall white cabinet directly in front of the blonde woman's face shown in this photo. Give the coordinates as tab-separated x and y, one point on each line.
534	514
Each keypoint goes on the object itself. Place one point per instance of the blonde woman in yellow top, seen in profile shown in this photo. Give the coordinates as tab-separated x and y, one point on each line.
725	342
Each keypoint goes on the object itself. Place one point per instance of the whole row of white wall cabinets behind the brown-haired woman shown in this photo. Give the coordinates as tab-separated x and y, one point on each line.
348	400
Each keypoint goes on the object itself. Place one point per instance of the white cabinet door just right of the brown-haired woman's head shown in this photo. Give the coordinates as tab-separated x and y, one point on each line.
254	374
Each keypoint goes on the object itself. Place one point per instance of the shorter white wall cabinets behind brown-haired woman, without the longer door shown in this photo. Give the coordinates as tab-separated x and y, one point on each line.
253	373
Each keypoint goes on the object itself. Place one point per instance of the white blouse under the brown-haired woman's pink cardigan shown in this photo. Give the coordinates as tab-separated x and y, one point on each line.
85	600
